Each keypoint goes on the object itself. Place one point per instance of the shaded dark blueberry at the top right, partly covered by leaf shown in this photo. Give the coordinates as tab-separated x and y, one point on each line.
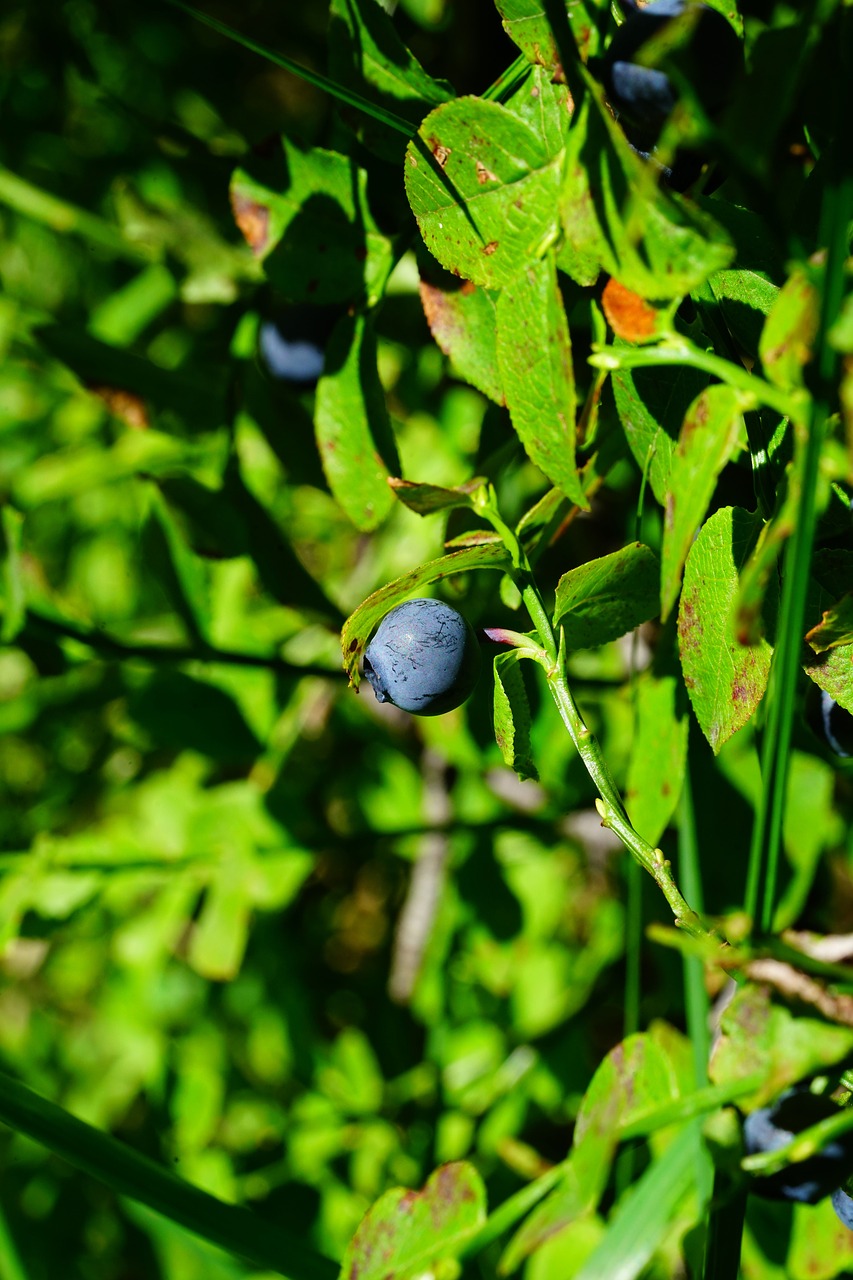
644	97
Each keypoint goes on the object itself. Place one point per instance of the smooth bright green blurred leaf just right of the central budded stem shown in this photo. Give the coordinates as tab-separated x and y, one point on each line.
659	755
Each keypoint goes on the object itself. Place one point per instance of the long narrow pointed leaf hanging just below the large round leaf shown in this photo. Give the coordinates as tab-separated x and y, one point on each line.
535	360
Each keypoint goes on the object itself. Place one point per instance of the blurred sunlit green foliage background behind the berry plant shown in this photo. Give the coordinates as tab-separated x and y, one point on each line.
207	842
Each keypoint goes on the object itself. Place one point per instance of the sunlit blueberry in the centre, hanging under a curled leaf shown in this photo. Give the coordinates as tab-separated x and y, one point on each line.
425	659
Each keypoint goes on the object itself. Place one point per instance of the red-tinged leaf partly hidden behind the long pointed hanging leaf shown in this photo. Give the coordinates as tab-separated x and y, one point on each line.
462	318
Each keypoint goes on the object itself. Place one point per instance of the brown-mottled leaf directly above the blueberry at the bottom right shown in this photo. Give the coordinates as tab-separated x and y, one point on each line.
763	1037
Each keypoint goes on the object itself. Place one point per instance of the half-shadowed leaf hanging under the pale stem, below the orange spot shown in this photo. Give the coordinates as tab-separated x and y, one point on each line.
653	405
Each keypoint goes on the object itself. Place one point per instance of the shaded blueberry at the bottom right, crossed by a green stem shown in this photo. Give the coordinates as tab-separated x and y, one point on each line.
772	1128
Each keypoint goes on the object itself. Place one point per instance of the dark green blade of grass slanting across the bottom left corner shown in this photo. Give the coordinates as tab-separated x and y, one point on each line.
232	1228
